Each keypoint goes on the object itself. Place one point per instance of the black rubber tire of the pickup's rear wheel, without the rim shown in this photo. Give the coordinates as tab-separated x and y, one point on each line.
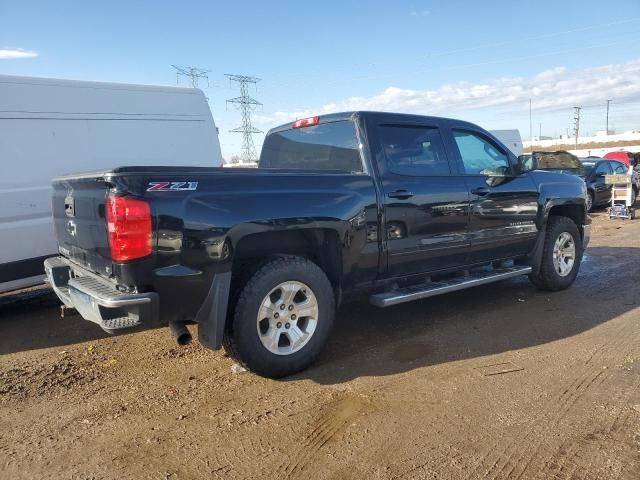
242	341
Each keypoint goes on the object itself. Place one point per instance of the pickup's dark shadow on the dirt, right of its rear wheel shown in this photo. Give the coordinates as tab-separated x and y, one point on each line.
478	322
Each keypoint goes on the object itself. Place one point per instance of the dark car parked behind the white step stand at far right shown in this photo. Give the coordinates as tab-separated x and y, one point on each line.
595	169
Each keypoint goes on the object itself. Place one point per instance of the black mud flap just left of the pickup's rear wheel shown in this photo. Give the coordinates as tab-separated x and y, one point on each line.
212	316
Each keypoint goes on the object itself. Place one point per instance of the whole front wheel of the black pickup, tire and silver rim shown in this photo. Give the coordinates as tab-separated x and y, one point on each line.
561	255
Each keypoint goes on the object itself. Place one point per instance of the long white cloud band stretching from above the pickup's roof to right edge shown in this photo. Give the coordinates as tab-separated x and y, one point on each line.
552	89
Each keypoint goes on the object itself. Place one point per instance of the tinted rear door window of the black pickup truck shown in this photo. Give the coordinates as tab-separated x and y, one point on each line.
414	151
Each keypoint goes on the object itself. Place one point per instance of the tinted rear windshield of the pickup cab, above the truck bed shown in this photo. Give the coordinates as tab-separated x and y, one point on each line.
327	146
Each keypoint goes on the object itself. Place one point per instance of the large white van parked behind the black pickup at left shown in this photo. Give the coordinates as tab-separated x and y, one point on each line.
52	127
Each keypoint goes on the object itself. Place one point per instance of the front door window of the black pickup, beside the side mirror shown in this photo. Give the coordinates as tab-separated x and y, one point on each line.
479	156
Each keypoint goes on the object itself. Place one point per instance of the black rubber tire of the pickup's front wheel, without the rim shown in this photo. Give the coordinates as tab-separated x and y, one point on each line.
548	278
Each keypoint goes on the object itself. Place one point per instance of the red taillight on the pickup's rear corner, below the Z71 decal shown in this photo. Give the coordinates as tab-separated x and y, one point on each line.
128	227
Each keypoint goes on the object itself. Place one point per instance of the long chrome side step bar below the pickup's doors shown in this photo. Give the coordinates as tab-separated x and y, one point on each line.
432	289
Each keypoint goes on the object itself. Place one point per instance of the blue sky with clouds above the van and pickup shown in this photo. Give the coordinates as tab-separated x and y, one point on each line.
477	60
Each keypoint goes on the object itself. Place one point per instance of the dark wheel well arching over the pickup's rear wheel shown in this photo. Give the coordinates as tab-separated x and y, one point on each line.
319	245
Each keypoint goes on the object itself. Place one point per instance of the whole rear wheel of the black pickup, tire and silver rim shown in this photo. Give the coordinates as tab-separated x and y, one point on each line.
283	317
